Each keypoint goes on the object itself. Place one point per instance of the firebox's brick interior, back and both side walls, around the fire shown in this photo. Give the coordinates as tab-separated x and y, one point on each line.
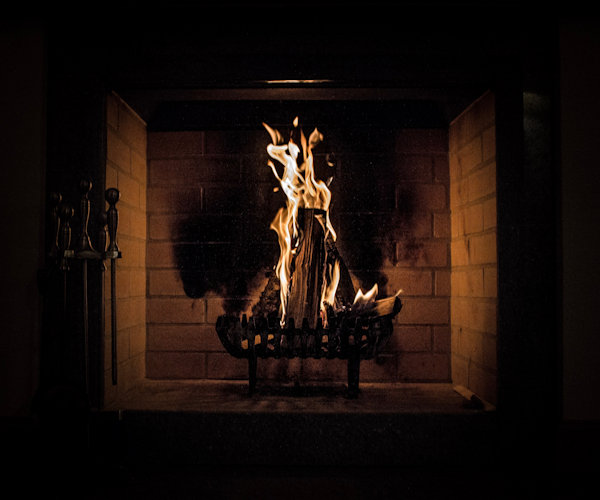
413	201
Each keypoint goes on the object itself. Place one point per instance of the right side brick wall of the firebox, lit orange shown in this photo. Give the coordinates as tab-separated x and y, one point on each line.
474	271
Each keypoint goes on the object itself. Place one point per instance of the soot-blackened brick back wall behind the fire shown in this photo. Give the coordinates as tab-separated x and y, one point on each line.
210	203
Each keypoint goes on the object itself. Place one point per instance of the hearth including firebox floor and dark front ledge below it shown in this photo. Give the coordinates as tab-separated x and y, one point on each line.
217	423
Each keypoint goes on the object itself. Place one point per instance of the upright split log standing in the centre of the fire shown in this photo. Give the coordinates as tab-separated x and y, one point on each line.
304	299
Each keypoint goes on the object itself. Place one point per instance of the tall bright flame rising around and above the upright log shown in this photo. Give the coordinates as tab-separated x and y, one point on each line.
302	190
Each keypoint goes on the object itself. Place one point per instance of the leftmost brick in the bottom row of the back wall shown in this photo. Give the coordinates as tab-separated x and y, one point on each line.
175	365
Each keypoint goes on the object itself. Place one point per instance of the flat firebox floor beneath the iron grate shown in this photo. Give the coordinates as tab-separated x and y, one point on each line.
231	397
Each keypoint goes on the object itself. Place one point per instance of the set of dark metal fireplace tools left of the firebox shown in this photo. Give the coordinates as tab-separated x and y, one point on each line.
63	254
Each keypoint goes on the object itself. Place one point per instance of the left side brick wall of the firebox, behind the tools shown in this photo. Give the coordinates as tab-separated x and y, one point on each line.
126	170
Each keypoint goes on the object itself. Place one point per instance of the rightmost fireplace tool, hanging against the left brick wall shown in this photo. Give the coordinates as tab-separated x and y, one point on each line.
112	218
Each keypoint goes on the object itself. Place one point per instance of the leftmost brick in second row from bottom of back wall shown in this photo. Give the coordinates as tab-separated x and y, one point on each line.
177	337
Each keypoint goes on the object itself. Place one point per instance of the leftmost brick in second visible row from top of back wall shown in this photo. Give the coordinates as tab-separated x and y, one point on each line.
191	171
